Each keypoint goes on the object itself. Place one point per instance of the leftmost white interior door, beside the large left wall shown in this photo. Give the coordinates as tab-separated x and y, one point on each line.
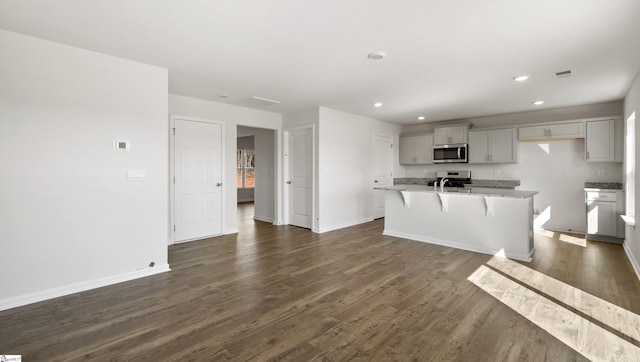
198	180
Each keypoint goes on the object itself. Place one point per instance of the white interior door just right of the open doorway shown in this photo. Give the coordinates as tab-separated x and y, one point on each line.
300	177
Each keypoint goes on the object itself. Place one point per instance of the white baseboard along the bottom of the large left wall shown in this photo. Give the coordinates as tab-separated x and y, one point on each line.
79	287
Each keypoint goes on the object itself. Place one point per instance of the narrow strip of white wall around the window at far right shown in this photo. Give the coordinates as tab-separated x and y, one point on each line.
632	239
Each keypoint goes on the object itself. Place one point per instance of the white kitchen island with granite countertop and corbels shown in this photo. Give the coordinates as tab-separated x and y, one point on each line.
483	220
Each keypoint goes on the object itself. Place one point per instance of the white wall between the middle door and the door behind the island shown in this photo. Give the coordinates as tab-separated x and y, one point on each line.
345	158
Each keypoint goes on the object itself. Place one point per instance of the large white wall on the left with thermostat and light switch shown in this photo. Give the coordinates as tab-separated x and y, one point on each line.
70	219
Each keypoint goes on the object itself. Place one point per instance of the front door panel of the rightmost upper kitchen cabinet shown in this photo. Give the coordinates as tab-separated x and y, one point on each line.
600	141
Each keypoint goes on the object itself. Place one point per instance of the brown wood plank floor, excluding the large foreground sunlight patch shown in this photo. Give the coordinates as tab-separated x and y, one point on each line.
284	293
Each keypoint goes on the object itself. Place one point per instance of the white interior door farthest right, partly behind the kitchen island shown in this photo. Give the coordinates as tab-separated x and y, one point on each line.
382	171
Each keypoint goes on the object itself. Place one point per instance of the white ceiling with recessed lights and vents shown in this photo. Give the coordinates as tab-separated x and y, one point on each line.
444	59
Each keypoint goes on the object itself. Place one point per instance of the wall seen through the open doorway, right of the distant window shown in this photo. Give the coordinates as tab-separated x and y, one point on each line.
264	191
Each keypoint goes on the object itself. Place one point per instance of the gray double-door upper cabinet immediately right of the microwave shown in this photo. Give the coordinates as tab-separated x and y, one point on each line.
493	146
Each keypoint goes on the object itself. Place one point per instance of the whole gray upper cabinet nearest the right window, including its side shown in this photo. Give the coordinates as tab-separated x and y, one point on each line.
603	141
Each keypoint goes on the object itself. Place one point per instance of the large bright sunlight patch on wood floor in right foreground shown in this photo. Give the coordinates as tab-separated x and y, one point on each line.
581	334
